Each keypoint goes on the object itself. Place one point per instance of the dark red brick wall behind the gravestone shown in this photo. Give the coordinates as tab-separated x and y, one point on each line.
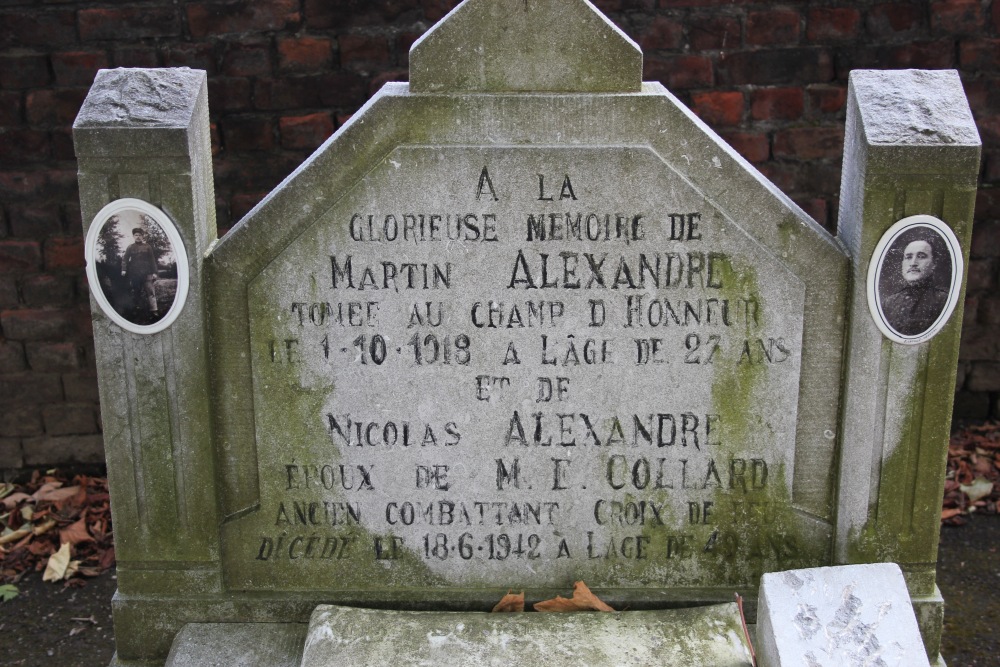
284	74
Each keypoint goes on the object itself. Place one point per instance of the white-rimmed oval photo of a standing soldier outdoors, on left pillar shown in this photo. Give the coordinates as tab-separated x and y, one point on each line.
137	266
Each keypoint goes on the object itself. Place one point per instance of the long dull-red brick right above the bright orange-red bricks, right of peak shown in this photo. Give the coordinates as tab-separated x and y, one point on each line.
774	67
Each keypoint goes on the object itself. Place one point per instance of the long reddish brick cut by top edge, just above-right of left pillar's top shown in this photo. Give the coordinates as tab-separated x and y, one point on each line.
207	19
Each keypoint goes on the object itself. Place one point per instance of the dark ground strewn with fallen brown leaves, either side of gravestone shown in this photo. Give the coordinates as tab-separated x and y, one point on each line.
48	625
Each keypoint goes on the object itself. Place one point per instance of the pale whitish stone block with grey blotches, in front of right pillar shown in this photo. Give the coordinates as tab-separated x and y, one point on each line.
833	616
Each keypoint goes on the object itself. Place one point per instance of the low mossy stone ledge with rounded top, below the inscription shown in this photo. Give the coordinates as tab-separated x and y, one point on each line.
707	636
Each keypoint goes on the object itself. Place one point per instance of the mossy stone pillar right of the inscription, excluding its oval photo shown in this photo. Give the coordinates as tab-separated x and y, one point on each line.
911	148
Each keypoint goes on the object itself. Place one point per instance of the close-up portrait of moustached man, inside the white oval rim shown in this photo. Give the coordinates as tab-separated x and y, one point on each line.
913	301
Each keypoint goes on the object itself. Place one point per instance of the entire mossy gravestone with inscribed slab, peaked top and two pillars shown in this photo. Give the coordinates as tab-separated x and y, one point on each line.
523	321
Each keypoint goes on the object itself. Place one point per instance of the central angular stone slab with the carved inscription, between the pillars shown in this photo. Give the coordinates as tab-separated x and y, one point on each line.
495	366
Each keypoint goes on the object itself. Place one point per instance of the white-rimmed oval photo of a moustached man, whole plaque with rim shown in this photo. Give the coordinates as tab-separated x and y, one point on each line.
914	279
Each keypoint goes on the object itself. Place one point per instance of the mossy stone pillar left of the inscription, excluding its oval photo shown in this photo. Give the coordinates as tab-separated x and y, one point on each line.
144	134
